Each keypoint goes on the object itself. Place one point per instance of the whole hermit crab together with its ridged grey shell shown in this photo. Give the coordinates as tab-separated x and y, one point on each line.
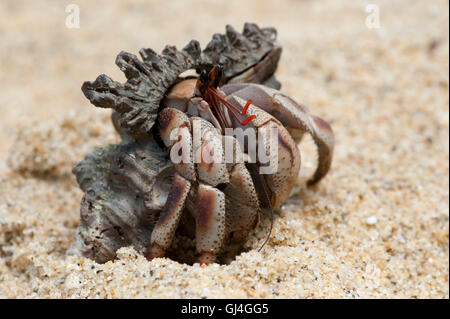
137	193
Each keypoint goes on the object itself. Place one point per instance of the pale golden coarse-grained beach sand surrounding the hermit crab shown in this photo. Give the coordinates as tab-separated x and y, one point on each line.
376	227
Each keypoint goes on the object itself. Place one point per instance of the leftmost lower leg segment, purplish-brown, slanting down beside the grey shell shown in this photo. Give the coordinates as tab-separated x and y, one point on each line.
167	224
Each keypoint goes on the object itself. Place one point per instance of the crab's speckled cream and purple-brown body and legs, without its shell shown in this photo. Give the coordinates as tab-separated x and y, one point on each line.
224	200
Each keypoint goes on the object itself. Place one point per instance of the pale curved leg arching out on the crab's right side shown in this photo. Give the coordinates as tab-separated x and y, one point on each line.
294	116
